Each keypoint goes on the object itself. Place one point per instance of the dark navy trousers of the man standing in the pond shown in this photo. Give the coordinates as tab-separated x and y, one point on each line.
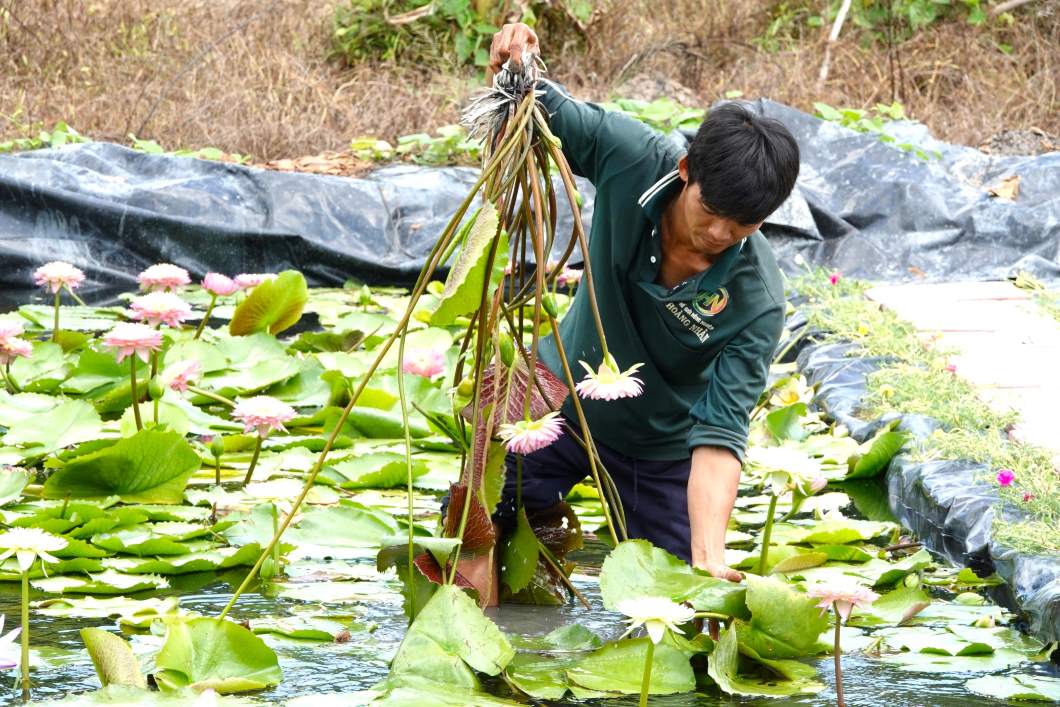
655	493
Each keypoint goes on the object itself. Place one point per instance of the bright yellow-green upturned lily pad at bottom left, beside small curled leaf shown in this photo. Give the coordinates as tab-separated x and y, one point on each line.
208	653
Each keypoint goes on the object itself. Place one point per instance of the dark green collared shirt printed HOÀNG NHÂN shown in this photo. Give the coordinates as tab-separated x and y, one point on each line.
705	345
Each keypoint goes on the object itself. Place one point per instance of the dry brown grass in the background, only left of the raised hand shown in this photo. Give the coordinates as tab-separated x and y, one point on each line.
249	77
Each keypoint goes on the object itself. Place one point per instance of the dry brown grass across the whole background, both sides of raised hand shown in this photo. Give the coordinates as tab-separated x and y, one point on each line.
253	77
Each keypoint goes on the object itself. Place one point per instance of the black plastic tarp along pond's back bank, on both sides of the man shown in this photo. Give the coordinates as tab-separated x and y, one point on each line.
861	207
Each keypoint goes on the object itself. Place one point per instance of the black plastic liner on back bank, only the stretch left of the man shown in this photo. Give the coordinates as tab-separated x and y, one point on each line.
114	211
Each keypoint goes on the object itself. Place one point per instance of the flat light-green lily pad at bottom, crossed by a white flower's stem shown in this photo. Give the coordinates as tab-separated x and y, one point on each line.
620	667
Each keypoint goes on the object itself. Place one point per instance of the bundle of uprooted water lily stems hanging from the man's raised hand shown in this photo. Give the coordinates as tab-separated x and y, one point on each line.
500	291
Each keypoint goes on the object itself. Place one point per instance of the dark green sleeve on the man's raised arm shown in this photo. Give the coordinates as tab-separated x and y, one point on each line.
595	142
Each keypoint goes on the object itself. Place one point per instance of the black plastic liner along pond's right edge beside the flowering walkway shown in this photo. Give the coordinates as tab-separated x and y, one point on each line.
946	504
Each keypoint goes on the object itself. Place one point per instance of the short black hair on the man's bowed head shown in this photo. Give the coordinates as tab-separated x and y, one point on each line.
746	165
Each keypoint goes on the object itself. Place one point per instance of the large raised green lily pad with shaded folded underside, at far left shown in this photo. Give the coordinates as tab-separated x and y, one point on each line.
151	467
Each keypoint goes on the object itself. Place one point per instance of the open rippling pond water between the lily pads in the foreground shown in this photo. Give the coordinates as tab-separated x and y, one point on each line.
315	668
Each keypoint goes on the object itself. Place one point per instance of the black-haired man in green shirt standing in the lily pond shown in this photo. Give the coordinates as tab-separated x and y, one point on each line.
687	287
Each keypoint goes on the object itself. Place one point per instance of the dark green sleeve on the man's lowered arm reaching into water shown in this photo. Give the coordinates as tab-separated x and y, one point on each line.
721	417
